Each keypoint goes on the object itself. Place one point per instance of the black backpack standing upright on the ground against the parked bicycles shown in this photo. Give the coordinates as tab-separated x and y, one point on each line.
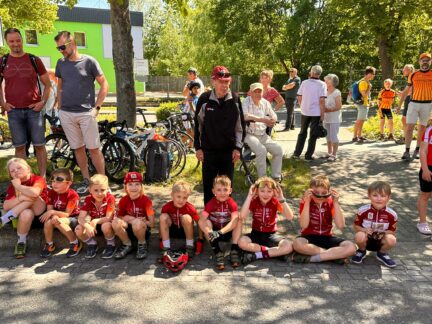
158	164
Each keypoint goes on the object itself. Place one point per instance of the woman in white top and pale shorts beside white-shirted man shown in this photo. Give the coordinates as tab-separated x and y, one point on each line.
332	115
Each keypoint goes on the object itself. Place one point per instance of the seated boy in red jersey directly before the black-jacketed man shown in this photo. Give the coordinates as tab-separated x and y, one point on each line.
219	222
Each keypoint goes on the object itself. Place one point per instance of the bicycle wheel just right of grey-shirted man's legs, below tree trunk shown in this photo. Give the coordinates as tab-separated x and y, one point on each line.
119	158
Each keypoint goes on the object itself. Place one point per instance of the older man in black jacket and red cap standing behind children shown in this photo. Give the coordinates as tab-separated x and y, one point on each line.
219	130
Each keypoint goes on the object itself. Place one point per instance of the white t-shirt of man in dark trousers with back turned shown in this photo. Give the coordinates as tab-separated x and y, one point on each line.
311	91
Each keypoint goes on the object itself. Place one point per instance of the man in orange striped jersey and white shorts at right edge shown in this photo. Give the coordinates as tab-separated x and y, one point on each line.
420	82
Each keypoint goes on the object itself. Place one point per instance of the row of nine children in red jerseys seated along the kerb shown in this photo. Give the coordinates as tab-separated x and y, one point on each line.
28	196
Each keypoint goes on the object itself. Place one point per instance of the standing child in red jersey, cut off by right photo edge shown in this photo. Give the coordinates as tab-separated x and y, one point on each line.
425	179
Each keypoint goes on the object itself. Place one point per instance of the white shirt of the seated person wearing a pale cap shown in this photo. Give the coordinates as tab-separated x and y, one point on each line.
263	110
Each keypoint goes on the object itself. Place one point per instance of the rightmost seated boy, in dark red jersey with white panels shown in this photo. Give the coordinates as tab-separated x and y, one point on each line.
375	225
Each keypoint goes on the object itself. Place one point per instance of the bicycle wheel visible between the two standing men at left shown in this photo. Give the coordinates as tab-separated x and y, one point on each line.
59	153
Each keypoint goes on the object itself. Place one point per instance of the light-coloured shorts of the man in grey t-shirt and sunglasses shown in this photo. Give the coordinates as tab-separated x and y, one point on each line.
81	129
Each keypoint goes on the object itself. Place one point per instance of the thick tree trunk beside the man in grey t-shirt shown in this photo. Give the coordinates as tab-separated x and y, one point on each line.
123	61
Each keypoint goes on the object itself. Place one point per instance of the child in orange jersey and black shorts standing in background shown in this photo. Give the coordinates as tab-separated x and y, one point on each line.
386	98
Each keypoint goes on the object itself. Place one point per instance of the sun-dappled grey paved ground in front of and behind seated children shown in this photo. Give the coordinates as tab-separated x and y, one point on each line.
269	291
